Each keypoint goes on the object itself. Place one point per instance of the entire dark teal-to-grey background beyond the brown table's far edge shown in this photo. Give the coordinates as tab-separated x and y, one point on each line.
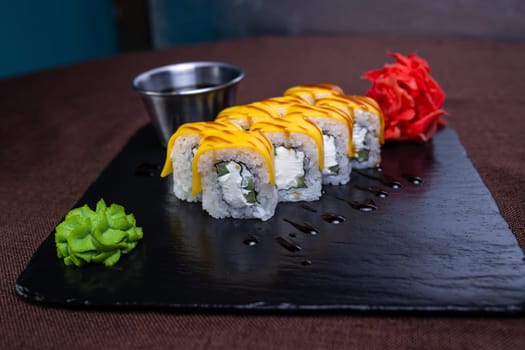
42	34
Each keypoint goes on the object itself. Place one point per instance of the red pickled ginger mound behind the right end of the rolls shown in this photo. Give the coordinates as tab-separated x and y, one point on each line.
410	98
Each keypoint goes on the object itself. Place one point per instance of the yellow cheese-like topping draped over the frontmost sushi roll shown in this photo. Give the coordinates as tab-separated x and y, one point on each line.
228	139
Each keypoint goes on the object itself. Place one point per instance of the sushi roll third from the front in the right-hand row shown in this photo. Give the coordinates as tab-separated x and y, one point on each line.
336	126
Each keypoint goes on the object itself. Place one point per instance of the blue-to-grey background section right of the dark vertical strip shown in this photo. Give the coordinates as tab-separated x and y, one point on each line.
179	22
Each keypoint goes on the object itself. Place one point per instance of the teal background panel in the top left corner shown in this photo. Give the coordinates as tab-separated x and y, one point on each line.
40	34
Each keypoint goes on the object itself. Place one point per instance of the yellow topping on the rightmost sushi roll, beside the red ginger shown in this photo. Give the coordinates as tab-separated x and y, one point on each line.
350	103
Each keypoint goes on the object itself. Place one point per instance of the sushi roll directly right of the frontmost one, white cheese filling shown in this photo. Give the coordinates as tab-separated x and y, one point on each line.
298	156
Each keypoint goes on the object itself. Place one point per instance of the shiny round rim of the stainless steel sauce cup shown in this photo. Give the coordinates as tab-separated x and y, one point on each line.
183	65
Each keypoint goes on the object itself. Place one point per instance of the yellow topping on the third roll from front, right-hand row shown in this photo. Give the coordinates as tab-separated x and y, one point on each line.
326	111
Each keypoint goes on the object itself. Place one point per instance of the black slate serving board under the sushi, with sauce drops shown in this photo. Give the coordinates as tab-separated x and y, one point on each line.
436	244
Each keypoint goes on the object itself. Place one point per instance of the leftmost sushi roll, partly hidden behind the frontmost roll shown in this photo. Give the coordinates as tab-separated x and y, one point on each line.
181	149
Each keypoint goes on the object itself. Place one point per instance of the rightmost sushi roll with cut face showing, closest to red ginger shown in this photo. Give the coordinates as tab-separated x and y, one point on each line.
368	130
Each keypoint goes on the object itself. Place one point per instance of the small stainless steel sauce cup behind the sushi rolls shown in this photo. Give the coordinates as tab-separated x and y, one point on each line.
186	92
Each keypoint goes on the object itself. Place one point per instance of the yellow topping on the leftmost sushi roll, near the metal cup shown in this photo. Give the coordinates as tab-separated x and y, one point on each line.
197	128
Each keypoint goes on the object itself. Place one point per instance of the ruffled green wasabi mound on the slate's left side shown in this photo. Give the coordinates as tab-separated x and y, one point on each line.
99	236
